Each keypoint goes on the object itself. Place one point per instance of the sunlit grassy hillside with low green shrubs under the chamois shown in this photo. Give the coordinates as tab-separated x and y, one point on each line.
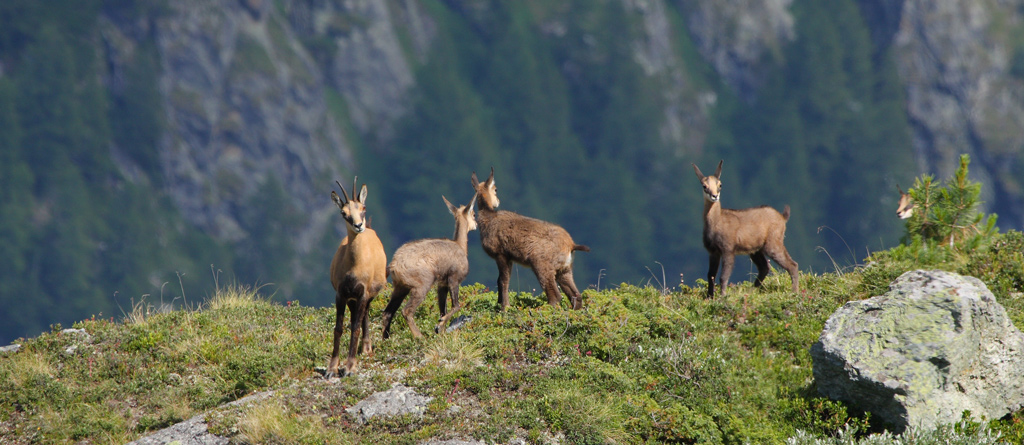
638	365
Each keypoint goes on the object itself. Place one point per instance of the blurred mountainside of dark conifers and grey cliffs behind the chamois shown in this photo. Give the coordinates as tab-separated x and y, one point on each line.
153	150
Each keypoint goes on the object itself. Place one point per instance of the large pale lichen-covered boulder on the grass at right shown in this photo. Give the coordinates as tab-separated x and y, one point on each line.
936	345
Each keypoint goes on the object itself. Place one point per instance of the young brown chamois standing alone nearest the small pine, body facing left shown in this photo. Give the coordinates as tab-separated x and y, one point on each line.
757	232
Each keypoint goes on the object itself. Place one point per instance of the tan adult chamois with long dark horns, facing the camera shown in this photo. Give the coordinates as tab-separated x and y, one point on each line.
358	274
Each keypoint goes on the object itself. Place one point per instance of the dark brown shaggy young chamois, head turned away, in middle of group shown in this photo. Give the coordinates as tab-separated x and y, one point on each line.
510	238
